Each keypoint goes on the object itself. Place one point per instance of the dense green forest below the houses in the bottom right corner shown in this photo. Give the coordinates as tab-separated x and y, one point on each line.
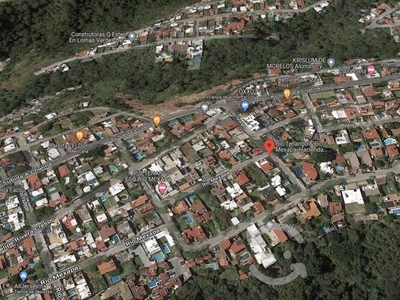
354	263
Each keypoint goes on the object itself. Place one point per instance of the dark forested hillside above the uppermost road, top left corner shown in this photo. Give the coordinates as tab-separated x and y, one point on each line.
46	25
